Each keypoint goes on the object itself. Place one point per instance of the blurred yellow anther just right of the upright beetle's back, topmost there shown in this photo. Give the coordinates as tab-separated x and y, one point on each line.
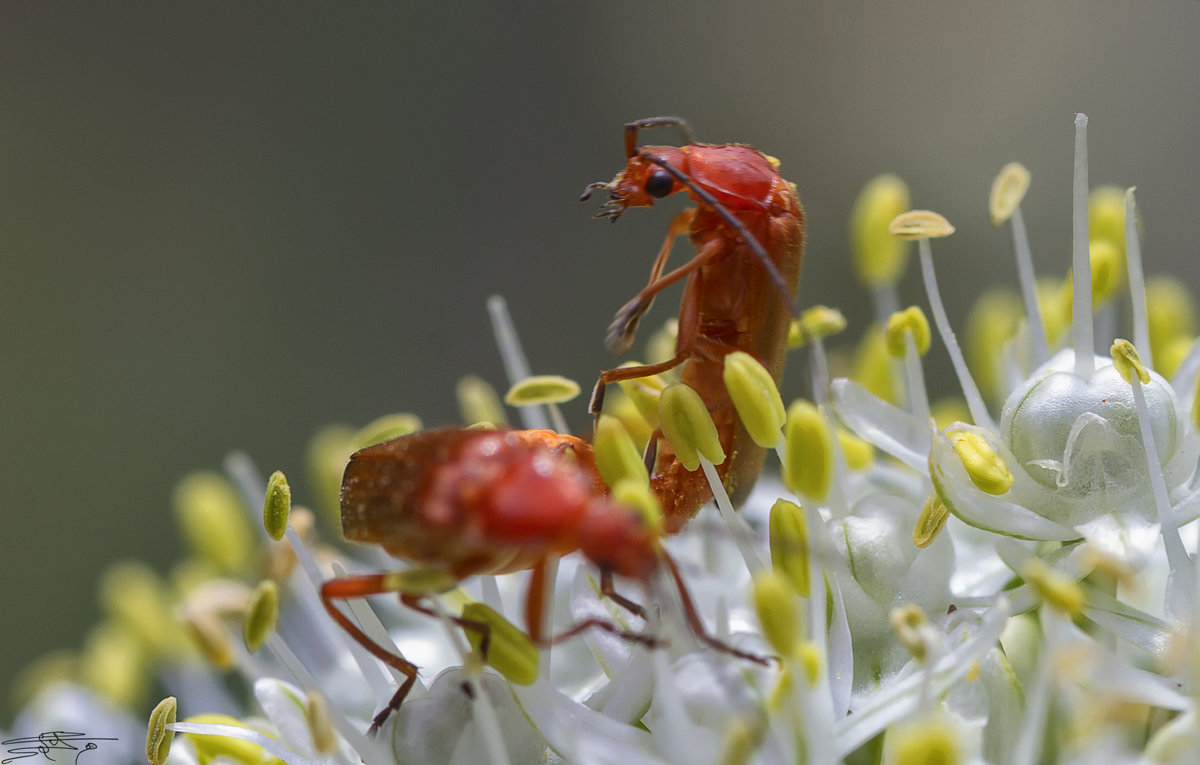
879	258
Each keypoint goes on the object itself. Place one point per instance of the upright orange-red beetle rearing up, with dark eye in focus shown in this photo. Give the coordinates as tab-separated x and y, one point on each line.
733	299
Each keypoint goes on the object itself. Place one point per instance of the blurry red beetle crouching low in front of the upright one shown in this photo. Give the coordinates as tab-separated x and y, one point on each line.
473	502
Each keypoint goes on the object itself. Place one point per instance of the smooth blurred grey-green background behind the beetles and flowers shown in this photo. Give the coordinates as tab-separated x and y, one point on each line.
224	226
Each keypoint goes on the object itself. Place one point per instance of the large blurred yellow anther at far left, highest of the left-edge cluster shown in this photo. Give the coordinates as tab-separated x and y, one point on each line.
214	522
